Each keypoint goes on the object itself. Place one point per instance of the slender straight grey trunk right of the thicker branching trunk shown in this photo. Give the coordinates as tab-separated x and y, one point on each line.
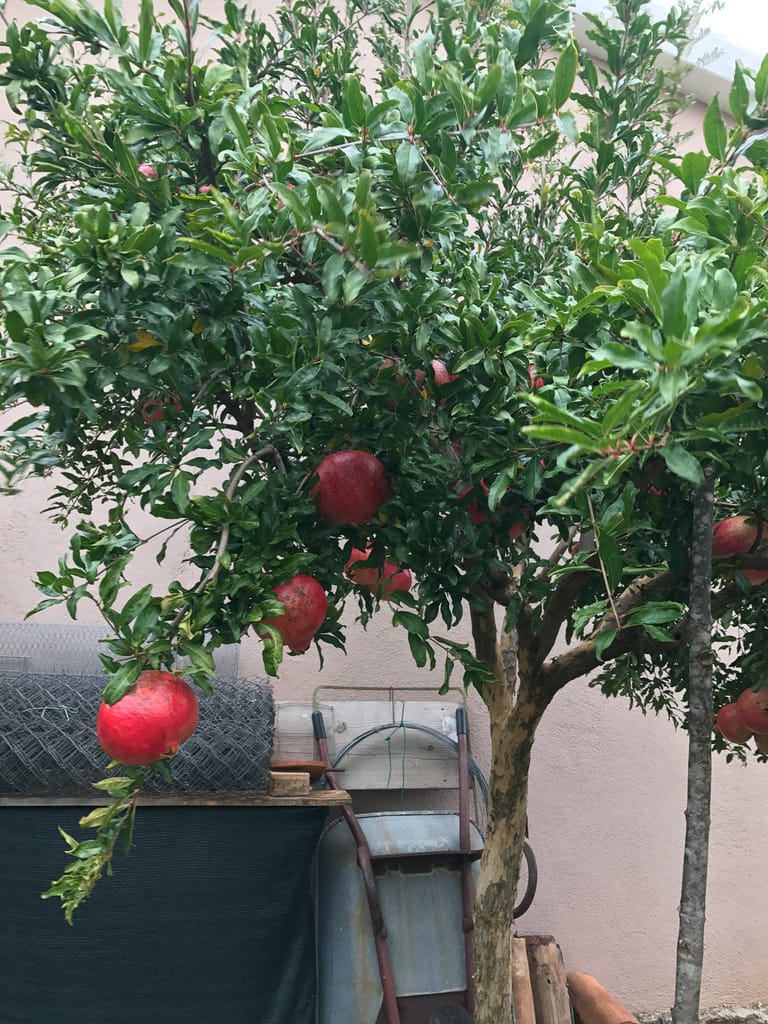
694	900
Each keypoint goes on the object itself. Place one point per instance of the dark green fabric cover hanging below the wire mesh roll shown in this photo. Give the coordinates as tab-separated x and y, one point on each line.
208	922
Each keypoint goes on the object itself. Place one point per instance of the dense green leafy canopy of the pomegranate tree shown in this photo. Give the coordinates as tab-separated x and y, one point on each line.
236	246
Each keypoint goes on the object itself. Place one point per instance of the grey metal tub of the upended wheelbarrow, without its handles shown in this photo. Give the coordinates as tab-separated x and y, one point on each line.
417	863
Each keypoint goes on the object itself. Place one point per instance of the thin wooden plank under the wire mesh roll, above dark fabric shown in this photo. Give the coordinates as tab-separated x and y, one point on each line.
316	798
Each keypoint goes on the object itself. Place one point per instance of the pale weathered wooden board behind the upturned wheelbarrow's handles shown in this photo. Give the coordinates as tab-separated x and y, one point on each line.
393	759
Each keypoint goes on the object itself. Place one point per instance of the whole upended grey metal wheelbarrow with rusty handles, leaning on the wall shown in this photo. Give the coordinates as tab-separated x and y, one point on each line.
394	910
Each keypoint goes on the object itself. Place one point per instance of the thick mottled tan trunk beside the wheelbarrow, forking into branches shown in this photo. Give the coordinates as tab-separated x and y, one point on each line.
514	724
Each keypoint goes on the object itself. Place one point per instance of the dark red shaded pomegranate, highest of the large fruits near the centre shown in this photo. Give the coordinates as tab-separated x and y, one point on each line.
352	488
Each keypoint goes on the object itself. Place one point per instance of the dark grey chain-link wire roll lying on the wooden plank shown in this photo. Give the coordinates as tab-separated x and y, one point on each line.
49	744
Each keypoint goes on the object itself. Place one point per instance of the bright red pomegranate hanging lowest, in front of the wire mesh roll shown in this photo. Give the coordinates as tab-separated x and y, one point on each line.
150	721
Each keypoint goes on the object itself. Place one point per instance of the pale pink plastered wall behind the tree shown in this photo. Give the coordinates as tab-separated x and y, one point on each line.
608	801
